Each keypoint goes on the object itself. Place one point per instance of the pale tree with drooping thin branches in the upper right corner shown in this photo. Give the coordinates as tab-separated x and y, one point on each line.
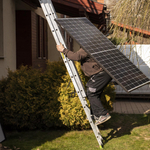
131	17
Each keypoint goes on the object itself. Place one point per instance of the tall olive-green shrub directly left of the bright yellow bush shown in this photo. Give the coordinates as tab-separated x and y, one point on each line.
52	81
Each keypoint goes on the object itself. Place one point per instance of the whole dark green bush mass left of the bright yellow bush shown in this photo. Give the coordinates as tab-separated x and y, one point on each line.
28	98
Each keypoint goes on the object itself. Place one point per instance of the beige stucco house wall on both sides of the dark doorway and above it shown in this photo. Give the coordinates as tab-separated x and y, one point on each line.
9	35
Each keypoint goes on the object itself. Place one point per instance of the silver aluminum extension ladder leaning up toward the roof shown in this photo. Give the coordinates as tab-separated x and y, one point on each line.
50	15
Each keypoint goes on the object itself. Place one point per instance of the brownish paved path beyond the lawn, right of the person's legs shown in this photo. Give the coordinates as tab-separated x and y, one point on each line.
132	107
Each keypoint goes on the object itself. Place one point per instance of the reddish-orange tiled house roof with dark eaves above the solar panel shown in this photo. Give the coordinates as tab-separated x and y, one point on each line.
77	8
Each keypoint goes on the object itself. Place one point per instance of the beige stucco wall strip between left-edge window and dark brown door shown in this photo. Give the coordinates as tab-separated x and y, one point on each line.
9	38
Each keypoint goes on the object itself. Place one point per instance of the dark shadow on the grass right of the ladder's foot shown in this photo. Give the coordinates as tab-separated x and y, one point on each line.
122	124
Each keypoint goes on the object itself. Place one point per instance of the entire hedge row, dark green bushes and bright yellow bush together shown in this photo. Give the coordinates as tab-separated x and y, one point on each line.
30	99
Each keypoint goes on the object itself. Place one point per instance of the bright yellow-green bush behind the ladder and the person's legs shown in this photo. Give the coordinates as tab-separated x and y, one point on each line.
71	111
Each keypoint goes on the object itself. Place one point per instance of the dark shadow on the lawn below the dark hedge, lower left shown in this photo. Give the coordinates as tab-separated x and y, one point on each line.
27	140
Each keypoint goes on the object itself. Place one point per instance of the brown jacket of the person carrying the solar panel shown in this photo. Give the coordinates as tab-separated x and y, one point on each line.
88	65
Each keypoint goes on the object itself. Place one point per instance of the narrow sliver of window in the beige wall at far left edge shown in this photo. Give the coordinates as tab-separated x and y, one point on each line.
1	30
